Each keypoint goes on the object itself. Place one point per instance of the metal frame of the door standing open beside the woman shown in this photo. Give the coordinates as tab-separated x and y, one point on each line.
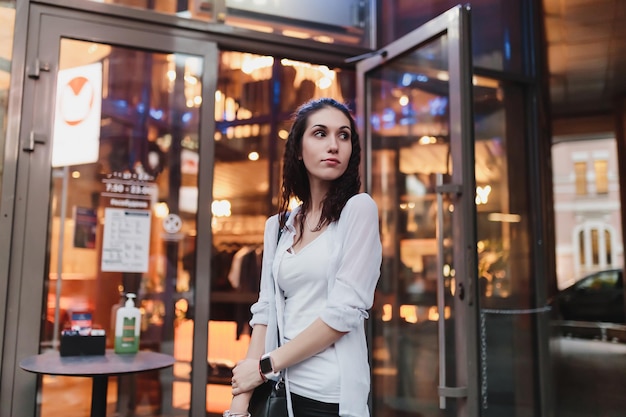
455	23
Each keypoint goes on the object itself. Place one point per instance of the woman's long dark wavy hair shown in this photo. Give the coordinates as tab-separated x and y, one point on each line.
295	178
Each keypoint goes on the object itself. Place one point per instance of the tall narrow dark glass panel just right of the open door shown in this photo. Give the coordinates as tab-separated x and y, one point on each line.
507	306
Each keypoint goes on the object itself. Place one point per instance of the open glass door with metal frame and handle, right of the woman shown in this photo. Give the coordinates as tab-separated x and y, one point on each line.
416	114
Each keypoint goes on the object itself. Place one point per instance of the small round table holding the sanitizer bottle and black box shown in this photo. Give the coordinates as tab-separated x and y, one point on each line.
98	367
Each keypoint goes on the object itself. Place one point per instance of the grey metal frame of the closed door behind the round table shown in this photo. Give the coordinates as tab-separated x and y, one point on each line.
47	26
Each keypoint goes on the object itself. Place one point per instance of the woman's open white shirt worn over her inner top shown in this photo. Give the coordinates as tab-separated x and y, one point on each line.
352	272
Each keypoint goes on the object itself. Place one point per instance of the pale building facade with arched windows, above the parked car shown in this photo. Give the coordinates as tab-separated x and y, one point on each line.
587	208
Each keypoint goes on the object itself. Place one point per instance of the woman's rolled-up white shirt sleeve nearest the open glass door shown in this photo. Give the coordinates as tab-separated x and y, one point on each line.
358	265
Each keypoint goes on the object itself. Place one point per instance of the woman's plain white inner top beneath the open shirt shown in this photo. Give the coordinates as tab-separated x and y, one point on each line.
302	279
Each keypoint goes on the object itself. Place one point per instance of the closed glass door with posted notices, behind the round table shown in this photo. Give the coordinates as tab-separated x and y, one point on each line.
116	121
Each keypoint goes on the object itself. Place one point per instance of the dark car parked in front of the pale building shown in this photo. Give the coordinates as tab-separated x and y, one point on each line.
596	297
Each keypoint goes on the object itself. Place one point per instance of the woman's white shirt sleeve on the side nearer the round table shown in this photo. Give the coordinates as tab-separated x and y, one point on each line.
260	309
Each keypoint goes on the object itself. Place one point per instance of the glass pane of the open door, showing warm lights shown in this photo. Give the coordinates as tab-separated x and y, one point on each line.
410	152
